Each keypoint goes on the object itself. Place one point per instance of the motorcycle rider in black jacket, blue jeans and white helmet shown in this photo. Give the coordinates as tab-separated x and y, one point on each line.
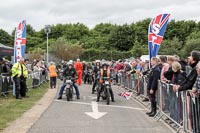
69	71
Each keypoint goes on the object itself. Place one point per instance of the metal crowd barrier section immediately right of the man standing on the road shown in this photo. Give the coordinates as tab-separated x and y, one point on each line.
169	104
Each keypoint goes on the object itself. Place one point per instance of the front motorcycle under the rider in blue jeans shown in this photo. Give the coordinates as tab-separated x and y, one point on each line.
69	87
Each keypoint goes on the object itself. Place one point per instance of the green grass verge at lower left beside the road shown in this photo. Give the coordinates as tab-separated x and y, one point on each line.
11	108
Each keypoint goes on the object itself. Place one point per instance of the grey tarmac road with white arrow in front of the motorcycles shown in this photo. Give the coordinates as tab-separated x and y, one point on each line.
123	116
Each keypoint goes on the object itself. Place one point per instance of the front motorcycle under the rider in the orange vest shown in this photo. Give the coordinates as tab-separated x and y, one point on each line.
106	90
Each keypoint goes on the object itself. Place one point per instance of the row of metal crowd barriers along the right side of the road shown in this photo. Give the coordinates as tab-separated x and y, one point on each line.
180	108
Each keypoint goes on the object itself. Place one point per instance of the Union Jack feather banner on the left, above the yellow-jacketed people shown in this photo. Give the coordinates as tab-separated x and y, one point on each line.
20	41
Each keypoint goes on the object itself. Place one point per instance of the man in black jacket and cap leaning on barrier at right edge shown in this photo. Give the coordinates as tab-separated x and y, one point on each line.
191	78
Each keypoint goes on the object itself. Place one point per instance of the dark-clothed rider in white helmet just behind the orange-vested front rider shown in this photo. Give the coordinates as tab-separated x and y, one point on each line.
96	72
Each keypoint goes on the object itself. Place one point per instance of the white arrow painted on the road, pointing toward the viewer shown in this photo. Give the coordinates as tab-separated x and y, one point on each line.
95	114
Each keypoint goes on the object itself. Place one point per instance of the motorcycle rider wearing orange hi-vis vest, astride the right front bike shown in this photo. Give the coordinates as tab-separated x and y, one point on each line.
105	72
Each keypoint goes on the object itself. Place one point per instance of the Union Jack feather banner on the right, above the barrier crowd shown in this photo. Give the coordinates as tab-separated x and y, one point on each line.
156	32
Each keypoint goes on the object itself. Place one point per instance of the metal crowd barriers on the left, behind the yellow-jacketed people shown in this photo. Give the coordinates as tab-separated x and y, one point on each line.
34	80
